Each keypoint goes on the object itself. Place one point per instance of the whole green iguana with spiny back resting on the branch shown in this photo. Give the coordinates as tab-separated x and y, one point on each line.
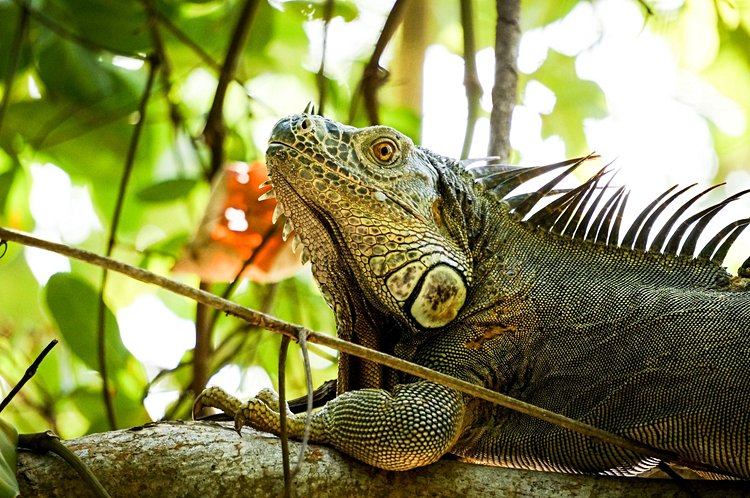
438	263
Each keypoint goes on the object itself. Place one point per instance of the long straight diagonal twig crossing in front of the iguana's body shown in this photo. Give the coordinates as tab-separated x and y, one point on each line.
295	331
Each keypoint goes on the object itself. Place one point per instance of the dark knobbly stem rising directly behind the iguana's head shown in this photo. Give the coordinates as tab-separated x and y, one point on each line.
374	76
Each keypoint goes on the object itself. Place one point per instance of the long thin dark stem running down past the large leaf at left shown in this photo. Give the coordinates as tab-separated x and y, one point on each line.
127	170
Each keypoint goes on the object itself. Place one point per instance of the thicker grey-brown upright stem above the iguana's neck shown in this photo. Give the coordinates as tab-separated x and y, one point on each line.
507	38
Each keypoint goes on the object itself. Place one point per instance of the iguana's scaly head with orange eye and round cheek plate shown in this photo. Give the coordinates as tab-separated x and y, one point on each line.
373	199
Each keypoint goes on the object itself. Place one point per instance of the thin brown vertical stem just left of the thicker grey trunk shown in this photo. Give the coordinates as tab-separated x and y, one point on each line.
471	76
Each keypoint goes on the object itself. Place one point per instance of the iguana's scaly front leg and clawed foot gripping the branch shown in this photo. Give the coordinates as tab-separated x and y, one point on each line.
412	426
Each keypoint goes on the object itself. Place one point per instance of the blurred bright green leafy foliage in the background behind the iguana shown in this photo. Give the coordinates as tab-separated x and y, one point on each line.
73	74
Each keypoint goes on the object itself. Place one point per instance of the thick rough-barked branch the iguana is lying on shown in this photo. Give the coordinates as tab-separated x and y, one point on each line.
205	459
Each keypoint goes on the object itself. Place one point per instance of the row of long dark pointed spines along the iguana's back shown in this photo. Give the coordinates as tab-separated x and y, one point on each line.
583	213
